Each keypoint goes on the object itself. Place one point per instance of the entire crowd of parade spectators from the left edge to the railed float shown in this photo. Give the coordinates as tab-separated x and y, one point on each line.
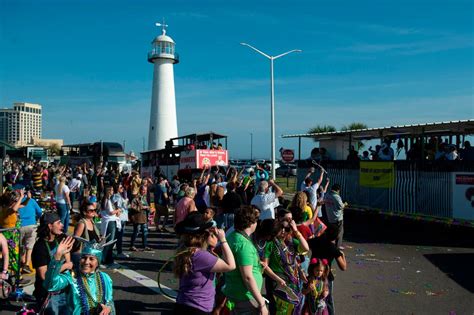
236	234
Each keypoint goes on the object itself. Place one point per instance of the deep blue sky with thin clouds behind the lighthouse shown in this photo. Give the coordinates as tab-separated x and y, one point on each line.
378	62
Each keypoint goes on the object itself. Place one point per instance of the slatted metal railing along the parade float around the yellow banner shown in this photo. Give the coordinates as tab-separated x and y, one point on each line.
419	187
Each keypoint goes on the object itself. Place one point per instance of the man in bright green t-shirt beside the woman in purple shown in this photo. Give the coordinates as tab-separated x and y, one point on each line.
243	284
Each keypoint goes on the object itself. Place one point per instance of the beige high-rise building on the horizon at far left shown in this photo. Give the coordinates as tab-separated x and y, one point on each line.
21	124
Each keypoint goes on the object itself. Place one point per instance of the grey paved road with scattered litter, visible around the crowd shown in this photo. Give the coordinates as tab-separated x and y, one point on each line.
392	269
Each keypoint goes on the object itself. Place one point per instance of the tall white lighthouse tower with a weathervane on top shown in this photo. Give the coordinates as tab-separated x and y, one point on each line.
163	123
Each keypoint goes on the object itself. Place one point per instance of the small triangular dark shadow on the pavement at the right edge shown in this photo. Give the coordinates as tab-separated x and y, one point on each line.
457	266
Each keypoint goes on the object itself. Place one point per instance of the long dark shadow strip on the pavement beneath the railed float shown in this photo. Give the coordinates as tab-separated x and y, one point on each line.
368	227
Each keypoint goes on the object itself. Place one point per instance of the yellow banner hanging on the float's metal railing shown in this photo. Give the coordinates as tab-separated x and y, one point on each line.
377	174
